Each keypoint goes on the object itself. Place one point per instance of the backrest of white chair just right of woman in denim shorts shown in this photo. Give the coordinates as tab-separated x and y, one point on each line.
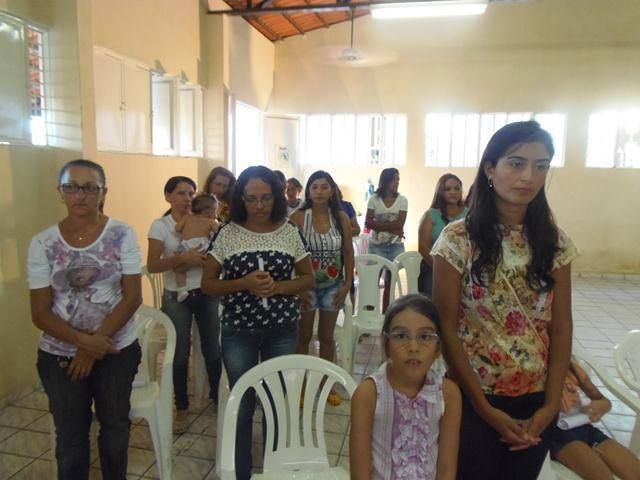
369	267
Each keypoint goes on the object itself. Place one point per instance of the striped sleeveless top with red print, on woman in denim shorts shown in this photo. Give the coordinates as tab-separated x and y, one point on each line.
326	251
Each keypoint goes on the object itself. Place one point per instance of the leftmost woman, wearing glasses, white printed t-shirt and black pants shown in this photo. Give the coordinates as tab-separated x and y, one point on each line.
84	276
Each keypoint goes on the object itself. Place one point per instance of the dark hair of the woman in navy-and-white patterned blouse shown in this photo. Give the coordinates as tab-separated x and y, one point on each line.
238	209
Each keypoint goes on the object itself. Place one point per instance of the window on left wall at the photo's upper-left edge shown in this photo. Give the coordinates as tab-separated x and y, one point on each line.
22	82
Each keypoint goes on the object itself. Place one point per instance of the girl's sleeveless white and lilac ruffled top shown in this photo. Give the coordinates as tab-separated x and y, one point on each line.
405	430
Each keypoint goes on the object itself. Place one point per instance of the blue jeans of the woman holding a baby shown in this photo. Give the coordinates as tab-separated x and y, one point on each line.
204	309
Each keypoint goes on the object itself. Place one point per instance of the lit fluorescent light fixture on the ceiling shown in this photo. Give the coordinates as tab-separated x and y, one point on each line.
434	8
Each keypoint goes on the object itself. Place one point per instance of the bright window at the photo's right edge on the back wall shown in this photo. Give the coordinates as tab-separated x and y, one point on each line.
614	139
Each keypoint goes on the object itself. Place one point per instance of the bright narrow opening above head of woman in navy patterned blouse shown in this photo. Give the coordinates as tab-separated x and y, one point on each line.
248	139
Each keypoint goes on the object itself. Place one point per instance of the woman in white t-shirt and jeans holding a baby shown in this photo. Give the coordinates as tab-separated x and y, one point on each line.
162	257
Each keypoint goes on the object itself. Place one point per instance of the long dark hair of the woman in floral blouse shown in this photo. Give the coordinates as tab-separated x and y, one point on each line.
482	221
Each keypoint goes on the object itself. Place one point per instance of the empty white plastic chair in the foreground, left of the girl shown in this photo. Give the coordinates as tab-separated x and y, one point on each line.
300	452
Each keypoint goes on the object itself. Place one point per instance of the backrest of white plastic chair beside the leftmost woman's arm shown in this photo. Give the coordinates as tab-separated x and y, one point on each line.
146	320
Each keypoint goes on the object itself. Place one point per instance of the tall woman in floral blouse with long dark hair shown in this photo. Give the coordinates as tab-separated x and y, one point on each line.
502	284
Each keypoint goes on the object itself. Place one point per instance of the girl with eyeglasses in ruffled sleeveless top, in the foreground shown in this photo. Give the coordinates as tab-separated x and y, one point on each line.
405	418
